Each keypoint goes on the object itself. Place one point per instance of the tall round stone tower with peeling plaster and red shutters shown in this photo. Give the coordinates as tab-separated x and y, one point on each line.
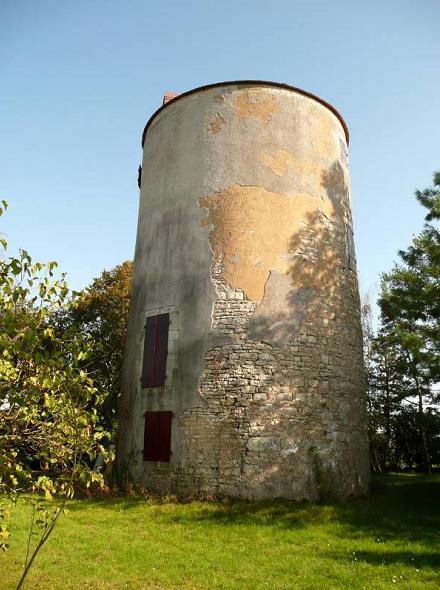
243	373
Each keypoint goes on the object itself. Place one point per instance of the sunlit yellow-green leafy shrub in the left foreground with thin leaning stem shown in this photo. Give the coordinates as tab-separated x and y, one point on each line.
49	428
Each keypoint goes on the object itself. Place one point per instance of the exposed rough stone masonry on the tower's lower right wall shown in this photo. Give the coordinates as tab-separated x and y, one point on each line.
263	399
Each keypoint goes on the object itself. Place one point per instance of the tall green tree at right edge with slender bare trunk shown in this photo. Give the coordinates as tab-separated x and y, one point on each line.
410	313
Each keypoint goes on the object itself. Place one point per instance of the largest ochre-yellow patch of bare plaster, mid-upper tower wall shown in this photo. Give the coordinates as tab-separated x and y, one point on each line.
254	231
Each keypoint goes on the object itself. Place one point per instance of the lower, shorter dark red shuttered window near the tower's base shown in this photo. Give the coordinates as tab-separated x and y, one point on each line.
157	436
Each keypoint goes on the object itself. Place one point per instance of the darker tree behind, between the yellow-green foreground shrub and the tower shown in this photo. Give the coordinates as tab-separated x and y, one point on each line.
100	312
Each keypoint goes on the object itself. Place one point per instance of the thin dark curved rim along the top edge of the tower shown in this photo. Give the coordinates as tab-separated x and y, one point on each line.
249	83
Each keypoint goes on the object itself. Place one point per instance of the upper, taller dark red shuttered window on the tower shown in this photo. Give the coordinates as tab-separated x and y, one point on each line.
155	350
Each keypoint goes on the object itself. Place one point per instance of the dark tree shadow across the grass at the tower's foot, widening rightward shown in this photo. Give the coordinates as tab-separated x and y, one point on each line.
402	508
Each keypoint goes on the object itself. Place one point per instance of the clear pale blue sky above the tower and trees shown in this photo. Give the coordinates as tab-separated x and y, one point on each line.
80	79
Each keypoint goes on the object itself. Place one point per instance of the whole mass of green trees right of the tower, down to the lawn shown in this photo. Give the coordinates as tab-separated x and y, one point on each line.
403	360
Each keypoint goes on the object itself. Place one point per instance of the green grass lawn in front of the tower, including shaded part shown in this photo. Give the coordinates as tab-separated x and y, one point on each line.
391	540
